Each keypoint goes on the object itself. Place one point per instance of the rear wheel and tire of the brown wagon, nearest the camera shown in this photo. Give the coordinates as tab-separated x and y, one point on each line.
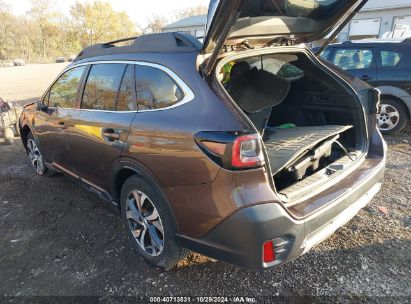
150	225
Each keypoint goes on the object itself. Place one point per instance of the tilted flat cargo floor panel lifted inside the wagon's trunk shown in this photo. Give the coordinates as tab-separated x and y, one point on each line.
285	145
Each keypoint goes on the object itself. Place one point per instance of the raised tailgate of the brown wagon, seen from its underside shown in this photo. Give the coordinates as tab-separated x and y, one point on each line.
263	22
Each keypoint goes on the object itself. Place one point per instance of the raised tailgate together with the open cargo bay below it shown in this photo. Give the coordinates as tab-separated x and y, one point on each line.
311	121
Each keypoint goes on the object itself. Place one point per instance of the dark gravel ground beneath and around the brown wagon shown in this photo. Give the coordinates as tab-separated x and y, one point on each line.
60	240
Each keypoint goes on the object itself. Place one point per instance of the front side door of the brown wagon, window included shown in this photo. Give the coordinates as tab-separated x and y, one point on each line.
51	122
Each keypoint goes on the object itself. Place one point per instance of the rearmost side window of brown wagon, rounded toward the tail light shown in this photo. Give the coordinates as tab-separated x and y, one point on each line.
155	89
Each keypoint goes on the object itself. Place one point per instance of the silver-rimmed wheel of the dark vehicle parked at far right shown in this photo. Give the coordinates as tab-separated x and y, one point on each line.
393	116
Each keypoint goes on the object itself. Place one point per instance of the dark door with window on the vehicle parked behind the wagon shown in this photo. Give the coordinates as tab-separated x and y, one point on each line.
357	61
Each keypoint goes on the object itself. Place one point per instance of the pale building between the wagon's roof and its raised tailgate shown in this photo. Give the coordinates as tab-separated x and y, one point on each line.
194	25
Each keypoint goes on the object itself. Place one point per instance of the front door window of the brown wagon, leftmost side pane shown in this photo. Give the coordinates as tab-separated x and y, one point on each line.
63	93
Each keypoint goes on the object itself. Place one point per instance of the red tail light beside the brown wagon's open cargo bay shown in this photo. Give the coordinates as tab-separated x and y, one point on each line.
247	152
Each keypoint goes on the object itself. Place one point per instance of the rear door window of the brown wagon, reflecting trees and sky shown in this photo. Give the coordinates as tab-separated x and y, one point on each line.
102	86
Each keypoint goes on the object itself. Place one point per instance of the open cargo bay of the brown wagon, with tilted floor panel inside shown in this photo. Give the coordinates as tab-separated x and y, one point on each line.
309	121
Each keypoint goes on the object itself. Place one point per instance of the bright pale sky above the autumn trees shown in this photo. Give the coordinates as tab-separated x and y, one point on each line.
138	10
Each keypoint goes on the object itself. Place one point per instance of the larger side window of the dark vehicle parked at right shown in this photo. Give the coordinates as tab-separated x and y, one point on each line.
353	59
